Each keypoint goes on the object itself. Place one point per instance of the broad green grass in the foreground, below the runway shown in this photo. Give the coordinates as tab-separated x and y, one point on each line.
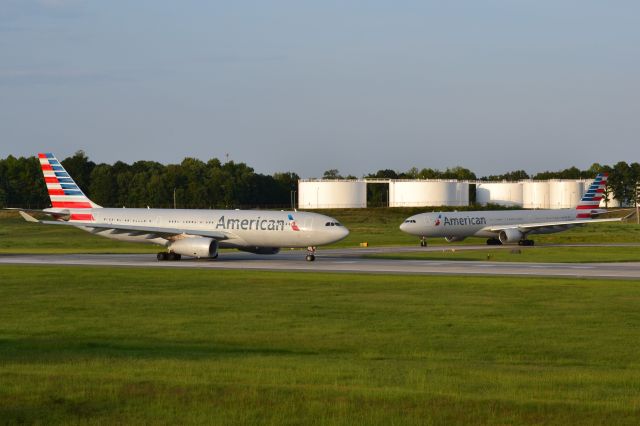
105	346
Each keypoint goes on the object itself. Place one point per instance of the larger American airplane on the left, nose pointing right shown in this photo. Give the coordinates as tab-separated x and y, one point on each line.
184	232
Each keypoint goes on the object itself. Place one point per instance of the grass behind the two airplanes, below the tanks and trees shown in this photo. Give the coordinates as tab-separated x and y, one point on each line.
377	227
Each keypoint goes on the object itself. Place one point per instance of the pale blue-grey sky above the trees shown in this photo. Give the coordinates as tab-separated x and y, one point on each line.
308	86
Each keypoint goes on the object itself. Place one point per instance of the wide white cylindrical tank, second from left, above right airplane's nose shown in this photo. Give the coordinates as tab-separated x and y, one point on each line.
420	193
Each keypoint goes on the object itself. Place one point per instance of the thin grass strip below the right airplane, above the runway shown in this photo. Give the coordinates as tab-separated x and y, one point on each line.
525	254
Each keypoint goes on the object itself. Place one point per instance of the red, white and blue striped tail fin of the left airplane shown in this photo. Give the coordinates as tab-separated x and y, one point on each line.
63	191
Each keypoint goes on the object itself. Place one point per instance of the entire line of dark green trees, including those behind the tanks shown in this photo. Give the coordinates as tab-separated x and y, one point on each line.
197	184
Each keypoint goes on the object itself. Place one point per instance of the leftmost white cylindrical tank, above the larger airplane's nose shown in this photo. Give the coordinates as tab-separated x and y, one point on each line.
332	194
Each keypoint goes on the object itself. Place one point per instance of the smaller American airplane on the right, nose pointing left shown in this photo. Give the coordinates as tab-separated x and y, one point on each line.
509	226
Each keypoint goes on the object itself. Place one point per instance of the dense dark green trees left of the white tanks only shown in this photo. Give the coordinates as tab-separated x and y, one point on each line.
191	184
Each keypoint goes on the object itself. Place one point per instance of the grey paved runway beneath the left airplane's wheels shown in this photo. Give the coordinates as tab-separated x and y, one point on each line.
341	261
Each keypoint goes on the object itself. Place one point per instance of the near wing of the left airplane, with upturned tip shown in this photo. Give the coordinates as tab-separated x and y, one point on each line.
133	229
